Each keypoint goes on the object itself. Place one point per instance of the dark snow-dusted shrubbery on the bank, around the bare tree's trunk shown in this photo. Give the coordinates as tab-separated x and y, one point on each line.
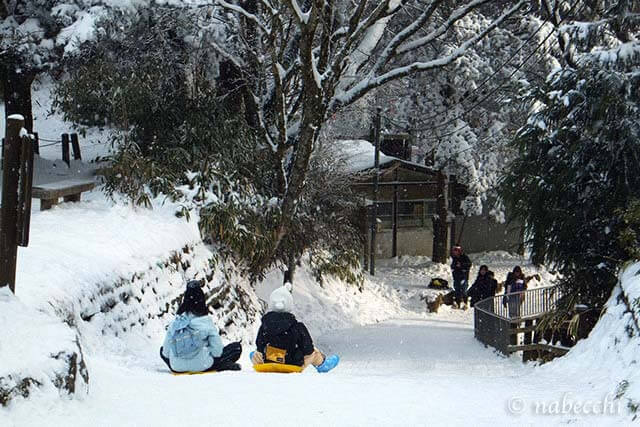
179	137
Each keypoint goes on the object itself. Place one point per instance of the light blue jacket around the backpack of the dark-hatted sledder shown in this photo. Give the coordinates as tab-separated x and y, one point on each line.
203	360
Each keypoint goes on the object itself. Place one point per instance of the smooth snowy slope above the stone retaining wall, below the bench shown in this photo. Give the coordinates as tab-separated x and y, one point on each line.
67	251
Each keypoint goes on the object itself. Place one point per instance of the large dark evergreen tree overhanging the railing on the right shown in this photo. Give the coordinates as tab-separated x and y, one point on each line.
577	174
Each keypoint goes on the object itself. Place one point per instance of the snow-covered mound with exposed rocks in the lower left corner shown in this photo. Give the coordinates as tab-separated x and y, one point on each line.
38	351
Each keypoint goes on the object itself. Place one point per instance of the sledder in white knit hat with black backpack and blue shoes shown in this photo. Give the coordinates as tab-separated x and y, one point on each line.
283	339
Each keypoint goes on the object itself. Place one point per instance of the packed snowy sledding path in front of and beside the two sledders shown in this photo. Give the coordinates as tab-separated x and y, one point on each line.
399	372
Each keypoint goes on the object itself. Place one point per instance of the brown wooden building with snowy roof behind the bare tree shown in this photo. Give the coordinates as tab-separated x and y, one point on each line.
406	204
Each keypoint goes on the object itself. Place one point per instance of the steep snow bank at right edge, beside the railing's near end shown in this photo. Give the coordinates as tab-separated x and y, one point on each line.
610	355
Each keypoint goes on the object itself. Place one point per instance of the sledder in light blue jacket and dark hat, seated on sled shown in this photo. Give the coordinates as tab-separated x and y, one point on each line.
192	343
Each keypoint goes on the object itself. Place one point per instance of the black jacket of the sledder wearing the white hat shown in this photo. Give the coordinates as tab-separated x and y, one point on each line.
282	330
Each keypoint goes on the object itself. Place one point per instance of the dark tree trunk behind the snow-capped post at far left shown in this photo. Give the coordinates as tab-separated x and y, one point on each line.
16	86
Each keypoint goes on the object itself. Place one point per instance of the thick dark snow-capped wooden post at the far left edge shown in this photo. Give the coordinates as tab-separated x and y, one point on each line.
8	215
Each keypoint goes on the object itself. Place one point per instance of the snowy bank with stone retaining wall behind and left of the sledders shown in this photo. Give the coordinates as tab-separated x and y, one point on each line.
117	273
